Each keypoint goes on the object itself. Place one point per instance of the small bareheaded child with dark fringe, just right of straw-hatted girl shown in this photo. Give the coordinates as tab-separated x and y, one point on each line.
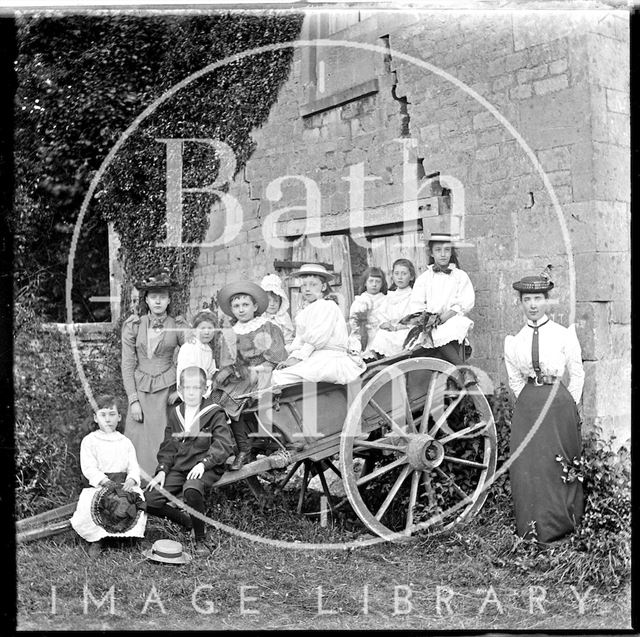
363	314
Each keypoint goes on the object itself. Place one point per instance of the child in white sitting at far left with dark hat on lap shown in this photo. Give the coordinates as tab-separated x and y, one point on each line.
113	504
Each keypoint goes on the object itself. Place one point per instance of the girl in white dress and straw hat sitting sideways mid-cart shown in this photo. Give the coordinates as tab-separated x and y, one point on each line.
318	352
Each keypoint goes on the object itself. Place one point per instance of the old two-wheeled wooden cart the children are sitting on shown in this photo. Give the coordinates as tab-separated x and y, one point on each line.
416	450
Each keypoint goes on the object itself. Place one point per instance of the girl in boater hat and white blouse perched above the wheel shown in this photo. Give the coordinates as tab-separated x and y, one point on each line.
446	292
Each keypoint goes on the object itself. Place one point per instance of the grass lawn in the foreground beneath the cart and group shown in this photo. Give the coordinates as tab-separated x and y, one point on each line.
475	577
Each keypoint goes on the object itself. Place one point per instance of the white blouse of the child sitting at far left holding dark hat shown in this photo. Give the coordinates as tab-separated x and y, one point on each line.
102	453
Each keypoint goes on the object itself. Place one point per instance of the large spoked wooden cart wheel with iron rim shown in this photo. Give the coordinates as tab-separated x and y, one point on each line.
427	447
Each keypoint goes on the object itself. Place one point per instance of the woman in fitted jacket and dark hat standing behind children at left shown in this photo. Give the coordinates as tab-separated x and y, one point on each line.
148	373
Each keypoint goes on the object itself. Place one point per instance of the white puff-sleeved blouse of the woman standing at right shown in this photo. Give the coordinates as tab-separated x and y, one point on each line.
559	350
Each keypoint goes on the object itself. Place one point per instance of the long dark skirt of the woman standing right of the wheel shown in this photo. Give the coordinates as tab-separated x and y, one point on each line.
539	494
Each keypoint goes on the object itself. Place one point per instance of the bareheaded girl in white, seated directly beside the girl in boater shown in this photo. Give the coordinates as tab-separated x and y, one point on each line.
391	335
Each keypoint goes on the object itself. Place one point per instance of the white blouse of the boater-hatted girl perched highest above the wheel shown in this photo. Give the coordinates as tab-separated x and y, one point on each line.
437	292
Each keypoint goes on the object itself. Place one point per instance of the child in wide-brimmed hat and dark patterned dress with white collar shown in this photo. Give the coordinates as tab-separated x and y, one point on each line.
259	348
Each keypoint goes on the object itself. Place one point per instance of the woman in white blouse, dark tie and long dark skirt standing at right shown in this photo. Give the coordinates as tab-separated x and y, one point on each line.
546	507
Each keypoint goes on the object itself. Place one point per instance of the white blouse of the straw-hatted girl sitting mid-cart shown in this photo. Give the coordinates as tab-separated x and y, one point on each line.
320	325
